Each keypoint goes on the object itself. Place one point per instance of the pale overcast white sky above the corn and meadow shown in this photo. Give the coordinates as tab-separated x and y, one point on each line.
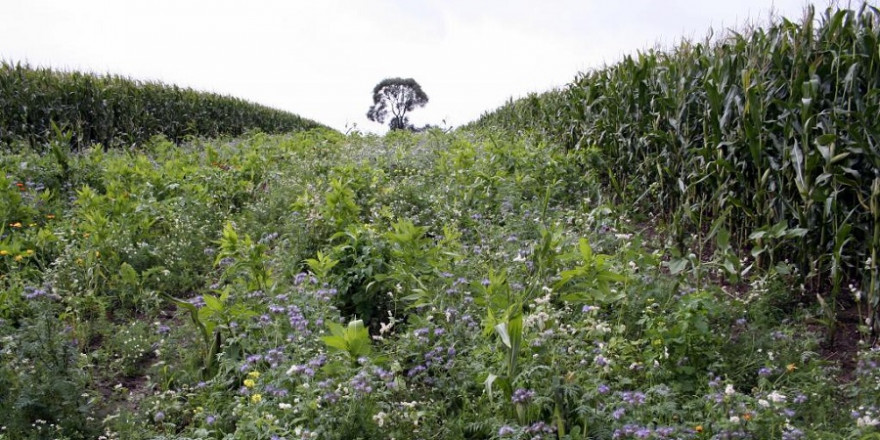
322	58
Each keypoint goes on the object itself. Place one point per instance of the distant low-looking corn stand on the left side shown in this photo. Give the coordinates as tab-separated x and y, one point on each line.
114	111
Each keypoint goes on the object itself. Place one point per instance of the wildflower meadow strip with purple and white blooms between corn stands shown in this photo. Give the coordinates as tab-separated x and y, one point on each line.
466	285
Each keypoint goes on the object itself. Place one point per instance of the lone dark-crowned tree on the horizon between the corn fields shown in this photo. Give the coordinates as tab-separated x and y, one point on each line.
399	95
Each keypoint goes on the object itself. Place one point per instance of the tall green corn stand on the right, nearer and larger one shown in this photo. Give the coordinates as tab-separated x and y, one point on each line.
768	136
